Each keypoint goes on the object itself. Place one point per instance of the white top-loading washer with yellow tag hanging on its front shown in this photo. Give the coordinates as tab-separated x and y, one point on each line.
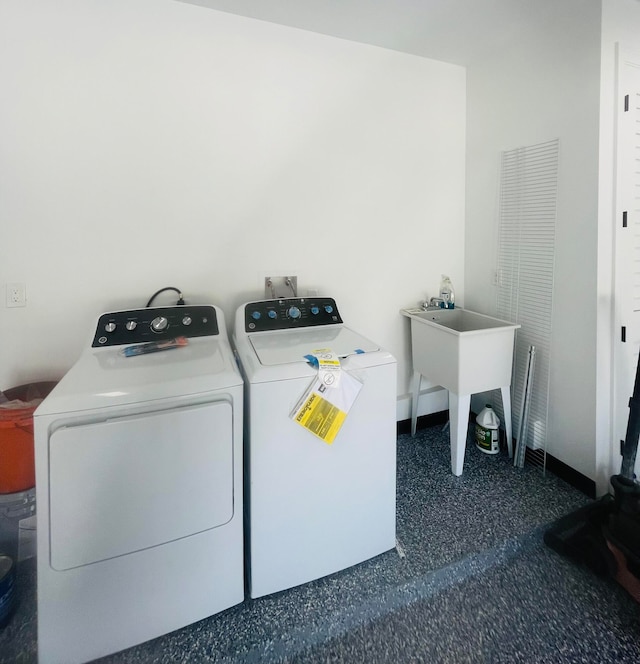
313	508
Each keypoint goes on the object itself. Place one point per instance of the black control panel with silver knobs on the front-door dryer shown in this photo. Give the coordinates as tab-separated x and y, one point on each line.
156	324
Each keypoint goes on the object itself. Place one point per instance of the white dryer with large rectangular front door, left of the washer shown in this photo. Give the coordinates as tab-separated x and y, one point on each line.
139	485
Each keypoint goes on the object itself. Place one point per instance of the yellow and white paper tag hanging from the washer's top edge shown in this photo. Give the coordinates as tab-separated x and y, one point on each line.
324	406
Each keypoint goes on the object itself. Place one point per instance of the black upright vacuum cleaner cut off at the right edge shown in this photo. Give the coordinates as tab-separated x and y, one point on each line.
605	535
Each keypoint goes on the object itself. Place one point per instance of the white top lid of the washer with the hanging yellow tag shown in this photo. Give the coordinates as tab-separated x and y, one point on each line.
287	346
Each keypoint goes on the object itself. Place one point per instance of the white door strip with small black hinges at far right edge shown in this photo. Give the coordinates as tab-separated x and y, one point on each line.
627	261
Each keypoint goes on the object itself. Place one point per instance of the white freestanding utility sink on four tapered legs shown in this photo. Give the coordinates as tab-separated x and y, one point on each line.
466	353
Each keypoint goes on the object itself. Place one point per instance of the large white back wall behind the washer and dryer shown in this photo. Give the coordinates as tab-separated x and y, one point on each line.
148	143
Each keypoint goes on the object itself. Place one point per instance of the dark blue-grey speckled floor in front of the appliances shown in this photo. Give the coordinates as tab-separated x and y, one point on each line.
471	581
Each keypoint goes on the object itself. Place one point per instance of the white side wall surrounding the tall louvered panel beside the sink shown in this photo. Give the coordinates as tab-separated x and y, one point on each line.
546	86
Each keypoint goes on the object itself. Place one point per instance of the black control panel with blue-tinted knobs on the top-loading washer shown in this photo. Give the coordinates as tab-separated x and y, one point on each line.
289	313
